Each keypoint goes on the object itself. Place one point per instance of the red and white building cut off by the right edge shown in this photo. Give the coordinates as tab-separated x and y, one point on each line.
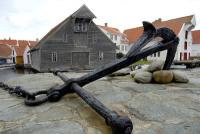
195	44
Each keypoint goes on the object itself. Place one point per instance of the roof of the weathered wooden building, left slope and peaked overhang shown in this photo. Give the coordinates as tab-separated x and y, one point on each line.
82	12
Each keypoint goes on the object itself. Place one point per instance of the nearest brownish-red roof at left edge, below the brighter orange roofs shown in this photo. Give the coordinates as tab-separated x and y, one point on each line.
5	51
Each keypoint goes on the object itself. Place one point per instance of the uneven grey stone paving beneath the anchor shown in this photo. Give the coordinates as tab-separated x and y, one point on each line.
153	108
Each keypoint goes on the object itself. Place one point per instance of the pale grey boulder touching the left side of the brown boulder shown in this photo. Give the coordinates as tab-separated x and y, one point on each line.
143	77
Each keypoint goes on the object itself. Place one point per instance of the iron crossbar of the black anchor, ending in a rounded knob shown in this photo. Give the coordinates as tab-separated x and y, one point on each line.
119	124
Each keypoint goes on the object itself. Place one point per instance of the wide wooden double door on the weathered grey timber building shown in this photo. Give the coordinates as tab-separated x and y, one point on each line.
80	59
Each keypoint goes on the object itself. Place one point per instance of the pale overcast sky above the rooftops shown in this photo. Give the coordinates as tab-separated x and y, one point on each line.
31	19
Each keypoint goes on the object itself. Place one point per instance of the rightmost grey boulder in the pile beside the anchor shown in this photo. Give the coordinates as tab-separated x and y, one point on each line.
180	77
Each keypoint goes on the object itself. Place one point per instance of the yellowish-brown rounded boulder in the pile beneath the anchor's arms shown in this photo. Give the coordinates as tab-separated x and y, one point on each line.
163	76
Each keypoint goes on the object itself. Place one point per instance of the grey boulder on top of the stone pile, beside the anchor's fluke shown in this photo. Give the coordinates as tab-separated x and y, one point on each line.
155	66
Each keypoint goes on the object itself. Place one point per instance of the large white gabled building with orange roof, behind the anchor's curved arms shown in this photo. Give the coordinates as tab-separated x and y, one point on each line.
182	28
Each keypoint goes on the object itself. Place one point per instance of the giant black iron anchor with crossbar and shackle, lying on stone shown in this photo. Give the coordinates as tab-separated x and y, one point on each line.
119	124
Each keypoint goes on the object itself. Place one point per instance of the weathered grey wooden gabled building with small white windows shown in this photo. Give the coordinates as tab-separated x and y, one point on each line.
75	43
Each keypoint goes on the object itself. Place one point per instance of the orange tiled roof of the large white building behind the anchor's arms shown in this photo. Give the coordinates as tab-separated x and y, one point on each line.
174	24
